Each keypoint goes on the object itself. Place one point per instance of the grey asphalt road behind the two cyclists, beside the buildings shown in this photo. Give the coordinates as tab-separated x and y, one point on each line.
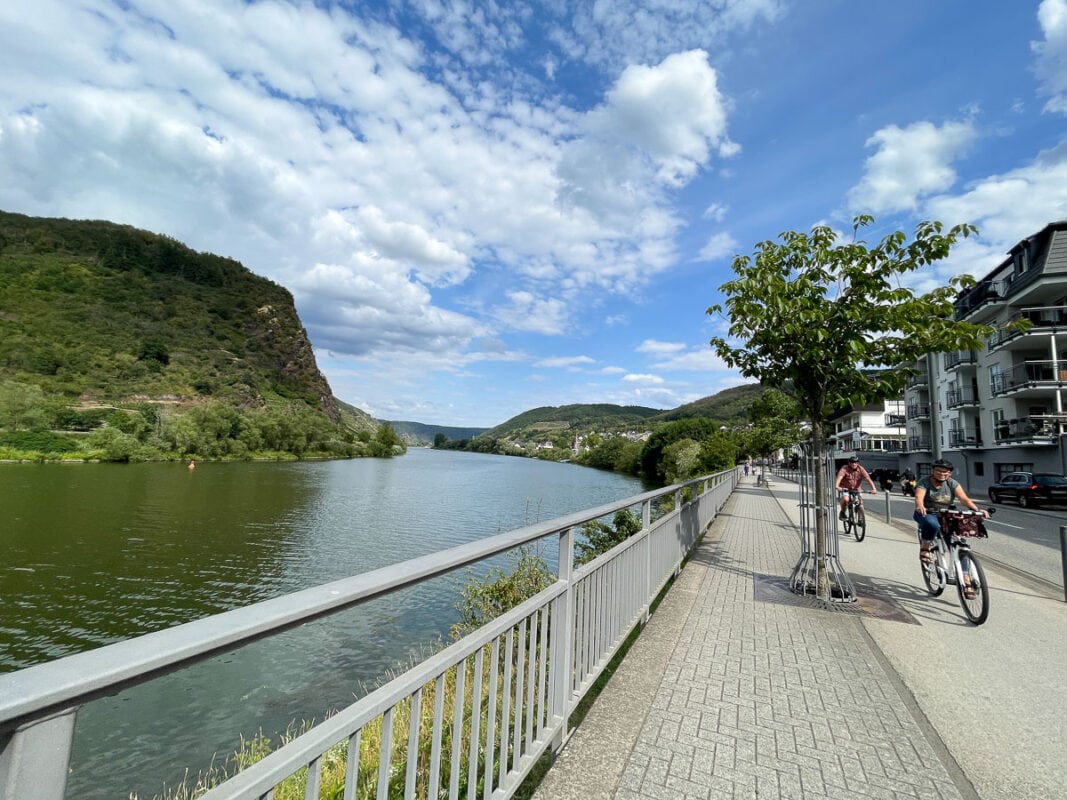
1023	540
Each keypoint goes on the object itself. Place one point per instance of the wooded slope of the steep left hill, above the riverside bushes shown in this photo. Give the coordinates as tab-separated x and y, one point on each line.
95	314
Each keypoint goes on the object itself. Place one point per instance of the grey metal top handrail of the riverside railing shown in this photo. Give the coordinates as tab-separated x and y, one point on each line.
39	691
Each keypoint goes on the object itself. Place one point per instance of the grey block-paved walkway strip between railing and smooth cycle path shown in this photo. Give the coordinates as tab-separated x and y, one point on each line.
766	700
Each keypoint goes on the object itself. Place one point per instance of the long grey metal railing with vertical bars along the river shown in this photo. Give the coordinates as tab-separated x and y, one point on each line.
514	682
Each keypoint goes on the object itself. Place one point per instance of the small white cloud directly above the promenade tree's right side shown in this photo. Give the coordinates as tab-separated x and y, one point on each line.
911	164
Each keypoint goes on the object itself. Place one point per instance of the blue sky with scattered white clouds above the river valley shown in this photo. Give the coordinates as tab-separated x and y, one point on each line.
487	207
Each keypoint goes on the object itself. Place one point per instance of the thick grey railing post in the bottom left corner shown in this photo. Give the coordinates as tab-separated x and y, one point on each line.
36	758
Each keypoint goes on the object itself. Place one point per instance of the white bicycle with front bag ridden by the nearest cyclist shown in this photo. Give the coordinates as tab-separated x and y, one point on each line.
954	563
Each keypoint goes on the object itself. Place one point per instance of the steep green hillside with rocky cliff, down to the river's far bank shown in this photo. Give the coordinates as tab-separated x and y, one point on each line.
99	319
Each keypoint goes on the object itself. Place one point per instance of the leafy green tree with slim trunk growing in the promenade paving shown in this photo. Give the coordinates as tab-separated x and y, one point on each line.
834	322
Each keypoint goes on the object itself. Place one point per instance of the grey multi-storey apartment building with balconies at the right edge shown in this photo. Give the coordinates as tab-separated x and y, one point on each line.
1001	408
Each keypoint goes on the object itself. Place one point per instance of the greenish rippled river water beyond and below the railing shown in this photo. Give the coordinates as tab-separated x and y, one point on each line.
93	554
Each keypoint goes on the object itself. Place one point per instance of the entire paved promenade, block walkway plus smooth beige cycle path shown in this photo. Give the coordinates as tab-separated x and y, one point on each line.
740	690
